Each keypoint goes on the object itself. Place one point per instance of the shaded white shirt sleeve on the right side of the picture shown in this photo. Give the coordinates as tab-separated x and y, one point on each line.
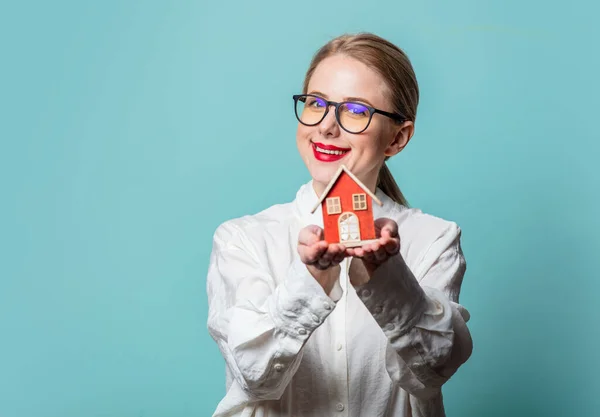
421	315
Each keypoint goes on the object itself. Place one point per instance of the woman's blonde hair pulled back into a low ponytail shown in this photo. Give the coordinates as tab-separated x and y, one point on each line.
394	67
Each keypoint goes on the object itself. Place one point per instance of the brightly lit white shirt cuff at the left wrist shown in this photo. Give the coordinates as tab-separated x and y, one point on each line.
301	304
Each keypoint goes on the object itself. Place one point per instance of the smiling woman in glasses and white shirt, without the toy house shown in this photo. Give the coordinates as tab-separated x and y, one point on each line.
311	328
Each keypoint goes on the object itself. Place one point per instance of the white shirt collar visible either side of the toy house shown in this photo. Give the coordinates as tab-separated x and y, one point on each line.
306	198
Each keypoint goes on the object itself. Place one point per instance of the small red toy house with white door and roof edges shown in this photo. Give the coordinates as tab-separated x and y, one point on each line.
347	210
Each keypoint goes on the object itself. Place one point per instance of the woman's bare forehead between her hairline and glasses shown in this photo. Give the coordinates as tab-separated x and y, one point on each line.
340	76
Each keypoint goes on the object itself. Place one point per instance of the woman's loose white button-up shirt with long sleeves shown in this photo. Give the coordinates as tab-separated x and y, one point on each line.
380	350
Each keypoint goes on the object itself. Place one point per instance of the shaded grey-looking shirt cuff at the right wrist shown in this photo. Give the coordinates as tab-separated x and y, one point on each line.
394	297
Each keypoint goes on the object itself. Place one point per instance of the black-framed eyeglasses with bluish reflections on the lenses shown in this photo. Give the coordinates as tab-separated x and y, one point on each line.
352	116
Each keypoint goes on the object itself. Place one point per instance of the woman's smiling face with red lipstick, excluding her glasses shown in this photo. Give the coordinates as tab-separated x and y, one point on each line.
341	78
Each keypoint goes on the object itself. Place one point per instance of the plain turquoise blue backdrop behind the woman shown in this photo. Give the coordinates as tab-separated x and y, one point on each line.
131	129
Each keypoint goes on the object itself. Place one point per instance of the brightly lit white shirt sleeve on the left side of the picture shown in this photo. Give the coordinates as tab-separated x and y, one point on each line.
261	322
